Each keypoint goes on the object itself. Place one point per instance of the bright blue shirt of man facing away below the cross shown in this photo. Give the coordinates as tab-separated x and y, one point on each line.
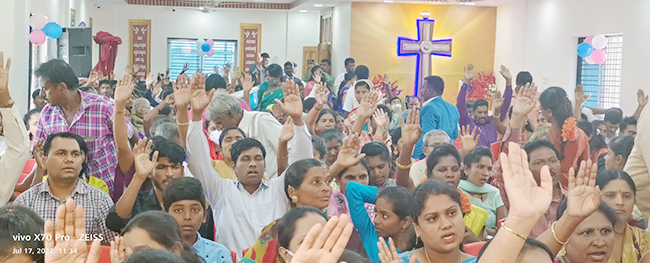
437	115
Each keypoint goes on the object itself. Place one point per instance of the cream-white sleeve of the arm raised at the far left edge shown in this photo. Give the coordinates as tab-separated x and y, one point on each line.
13	161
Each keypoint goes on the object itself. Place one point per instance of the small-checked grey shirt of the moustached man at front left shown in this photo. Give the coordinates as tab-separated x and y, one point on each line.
96	204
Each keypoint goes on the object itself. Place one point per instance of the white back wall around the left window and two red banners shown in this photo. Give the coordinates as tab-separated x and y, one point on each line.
283	33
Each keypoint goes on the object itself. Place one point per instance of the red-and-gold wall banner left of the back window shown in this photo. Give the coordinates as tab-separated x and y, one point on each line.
140	45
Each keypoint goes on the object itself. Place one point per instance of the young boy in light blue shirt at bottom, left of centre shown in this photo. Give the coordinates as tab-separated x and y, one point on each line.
184	200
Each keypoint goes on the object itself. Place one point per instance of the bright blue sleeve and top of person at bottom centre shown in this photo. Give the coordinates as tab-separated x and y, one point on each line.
358	194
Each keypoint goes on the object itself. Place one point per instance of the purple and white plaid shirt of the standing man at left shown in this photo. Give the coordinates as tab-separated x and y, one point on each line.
94	123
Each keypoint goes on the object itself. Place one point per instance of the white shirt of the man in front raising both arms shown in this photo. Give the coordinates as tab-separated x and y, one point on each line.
239	217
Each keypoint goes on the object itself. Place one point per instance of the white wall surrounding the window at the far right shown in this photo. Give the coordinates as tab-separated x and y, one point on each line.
541	37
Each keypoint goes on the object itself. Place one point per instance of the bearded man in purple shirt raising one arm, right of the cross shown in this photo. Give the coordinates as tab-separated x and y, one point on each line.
479	117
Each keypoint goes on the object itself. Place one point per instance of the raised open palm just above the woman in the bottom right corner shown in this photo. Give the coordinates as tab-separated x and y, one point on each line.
584	196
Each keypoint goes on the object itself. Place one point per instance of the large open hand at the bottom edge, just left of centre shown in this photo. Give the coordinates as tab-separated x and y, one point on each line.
325	244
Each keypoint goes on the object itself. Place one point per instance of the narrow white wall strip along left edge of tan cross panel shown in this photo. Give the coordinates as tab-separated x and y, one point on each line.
341	18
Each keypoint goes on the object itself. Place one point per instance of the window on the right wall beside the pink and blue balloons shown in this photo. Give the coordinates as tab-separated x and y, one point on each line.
603	81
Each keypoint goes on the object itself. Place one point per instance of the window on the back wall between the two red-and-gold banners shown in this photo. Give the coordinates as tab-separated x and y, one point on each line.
183	51
